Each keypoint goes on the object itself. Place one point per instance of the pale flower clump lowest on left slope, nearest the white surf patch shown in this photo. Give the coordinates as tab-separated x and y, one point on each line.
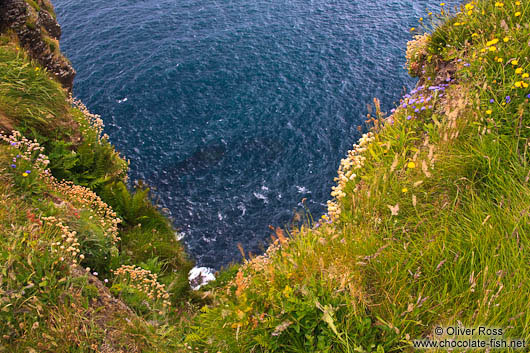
141	289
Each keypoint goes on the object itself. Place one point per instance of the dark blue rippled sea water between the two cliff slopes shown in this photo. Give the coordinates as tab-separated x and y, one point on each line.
235	110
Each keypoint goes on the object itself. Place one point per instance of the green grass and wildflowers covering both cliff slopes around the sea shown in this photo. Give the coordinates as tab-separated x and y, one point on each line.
429	223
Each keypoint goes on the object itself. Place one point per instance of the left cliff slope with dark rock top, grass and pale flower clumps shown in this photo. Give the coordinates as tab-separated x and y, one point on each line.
85	264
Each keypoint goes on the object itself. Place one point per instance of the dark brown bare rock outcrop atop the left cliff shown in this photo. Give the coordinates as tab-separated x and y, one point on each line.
38	32
